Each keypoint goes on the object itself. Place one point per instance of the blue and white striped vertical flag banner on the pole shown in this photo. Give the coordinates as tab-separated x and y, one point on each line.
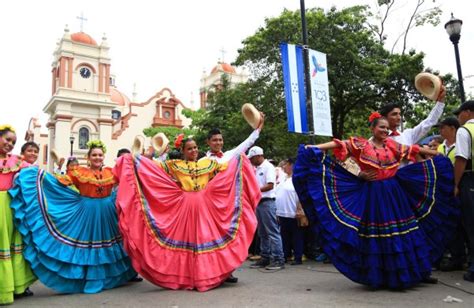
293	77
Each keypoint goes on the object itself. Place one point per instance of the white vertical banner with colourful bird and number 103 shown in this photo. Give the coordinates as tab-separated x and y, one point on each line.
320	93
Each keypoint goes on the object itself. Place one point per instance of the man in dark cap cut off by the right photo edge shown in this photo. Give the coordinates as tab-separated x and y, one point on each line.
464	175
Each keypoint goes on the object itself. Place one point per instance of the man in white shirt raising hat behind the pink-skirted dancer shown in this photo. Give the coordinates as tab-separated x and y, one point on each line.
215	141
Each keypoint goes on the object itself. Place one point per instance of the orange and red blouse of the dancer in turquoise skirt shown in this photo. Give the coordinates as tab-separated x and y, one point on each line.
90	183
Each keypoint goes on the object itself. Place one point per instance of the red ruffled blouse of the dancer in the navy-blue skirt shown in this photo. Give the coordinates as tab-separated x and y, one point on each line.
385	160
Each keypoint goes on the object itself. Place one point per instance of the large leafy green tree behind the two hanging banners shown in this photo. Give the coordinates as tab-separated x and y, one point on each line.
362	73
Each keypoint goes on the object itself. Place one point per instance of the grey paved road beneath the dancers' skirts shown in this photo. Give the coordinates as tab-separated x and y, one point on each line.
308	285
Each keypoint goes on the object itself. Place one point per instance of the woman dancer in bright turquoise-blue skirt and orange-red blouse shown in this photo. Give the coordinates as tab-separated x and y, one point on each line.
72	239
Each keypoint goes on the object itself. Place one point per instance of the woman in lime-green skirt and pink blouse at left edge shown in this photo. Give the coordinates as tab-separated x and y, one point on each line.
15	272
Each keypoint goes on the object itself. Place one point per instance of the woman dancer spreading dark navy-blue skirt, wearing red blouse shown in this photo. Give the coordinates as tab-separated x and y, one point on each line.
386	232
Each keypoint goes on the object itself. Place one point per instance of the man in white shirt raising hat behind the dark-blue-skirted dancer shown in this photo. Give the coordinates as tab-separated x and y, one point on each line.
411	136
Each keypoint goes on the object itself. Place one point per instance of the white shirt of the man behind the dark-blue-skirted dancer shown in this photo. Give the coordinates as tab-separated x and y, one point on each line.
411	136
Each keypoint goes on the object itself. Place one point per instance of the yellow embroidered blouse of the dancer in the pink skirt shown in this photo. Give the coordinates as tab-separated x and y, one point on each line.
192	175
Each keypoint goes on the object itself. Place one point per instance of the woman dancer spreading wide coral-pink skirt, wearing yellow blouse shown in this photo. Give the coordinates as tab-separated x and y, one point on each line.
187	223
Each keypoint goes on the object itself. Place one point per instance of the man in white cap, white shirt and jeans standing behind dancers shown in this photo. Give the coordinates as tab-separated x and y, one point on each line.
271	248
